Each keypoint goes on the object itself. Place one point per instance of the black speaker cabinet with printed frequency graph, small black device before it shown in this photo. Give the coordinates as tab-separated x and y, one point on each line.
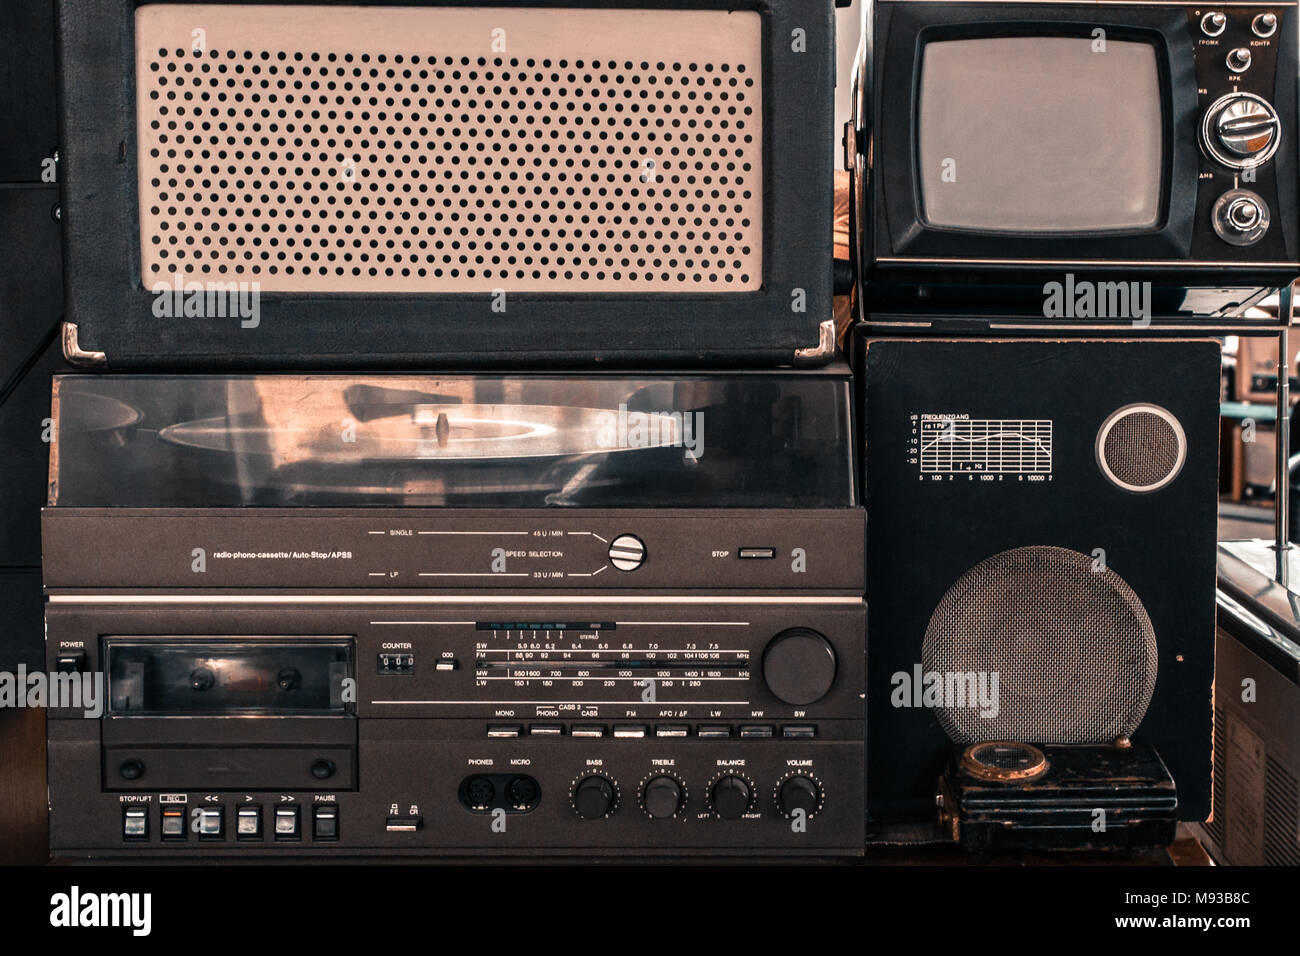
1041	569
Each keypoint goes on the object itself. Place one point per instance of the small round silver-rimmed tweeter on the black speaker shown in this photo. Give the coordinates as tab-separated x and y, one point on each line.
1141	448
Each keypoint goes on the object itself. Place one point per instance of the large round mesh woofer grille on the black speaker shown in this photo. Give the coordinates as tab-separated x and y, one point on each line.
1073	650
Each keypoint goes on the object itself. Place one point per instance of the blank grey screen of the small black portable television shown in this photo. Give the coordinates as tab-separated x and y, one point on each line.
1041	136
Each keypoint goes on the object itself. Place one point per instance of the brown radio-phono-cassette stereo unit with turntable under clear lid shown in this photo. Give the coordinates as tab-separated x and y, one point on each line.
466	615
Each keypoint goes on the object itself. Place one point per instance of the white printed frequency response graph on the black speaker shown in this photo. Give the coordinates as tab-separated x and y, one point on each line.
1006	447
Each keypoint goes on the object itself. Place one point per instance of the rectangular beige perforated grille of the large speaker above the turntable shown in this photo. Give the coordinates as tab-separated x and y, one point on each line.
401	150
